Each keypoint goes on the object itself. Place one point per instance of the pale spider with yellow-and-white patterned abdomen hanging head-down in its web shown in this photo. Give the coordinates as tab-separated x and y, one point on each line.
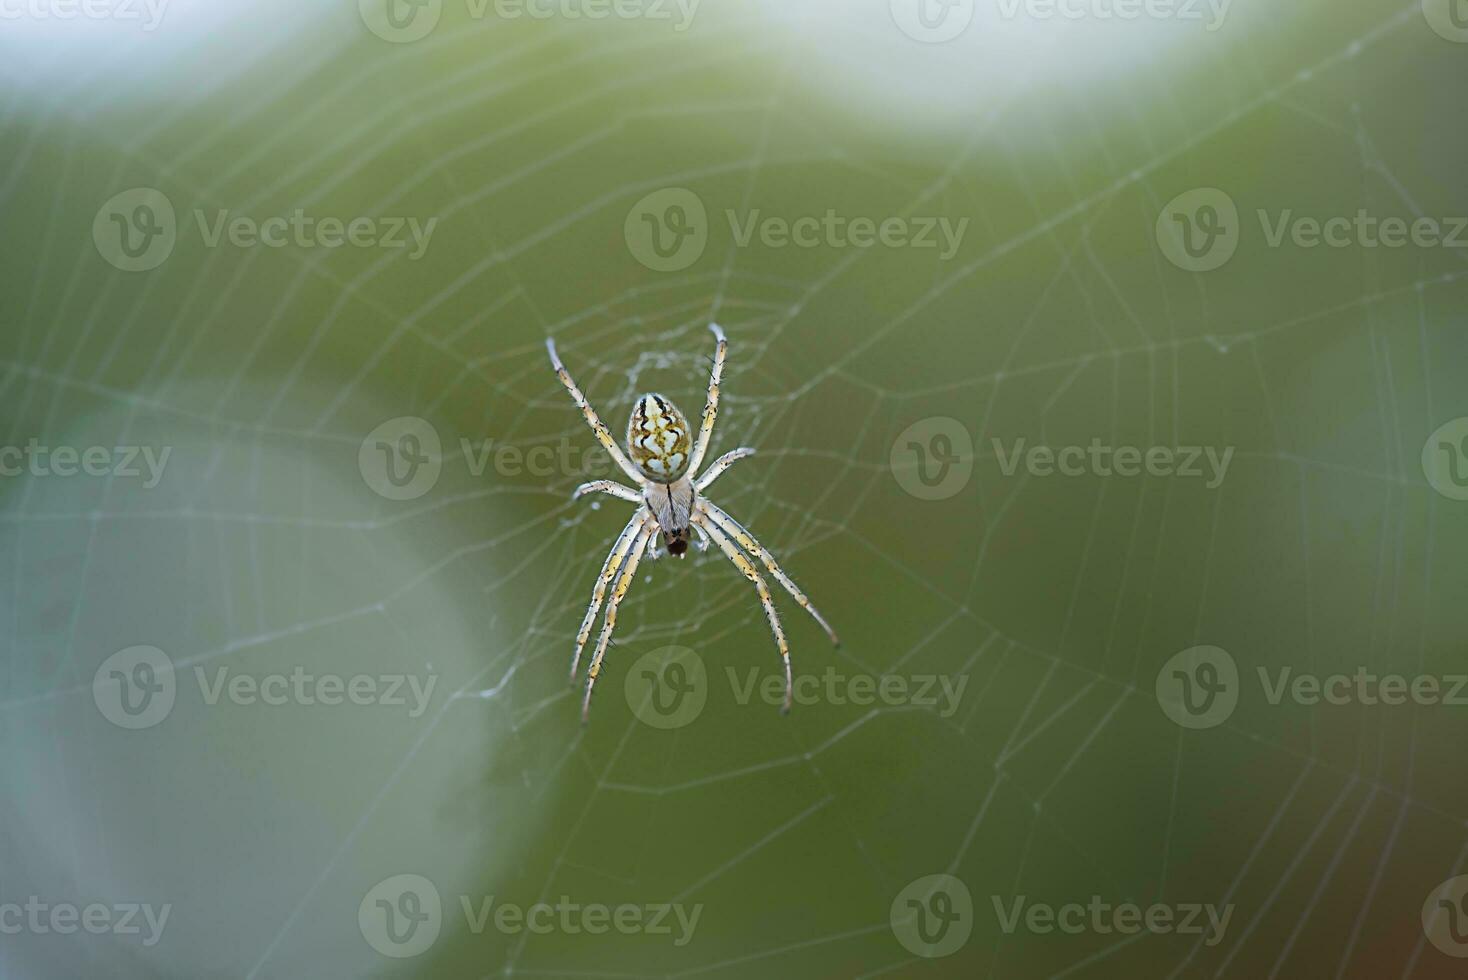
669	492
